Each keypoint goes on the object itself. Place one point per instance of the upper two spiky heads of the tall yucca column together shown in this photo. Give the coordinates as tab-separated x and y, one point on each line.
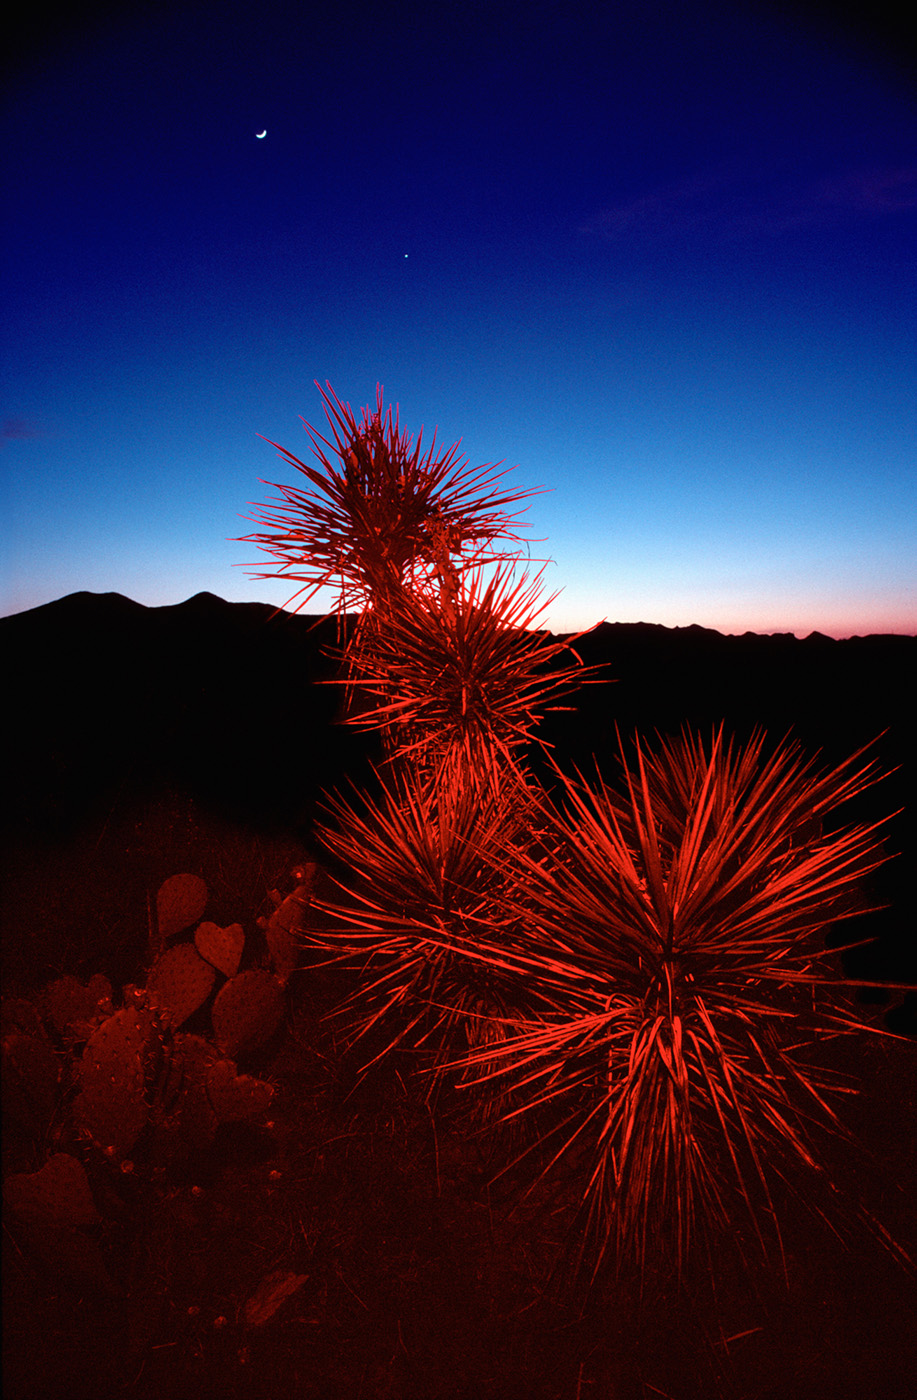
423	548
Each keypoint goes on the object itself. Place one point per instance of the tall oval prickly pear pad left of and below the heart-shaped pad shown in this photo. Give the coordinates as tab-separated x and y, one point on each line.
111	1105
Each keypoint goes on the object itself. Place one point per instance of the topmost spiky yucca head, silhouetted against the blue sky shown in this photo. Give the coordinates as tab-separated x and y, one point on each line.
377	514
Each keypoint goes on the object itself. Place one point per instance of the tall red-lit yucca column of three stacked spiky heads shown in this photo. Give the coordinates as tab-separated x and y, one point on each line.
449	663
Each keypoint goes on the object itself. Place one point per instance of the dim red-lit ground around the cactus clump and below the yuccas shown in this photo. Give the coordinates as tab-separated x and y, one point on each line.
414	1273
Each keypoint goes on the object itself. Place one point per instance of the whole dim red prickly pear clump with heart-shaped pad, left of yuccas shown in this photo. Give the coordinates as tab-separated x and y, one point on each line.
148	1094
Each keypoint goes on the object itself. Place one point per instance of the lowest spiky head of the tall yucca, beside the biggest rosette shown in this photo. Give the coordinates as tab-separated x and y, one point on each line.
426	873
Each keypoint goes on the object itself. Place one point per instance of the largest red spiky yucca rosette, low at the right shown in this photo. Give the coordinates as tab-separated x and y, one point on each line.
677	936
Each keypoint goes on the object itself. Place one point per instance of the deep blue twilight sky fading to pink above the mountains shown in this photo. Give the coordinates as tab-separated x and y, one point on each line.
663	257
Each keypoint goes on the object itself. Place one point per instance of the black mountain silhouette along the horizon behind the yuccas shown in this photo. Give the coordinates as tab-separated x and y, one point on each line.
232	705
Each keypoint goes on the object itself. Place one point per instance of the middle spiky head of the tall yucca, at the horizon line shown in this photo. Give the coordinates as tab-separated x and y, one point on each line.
461	673
